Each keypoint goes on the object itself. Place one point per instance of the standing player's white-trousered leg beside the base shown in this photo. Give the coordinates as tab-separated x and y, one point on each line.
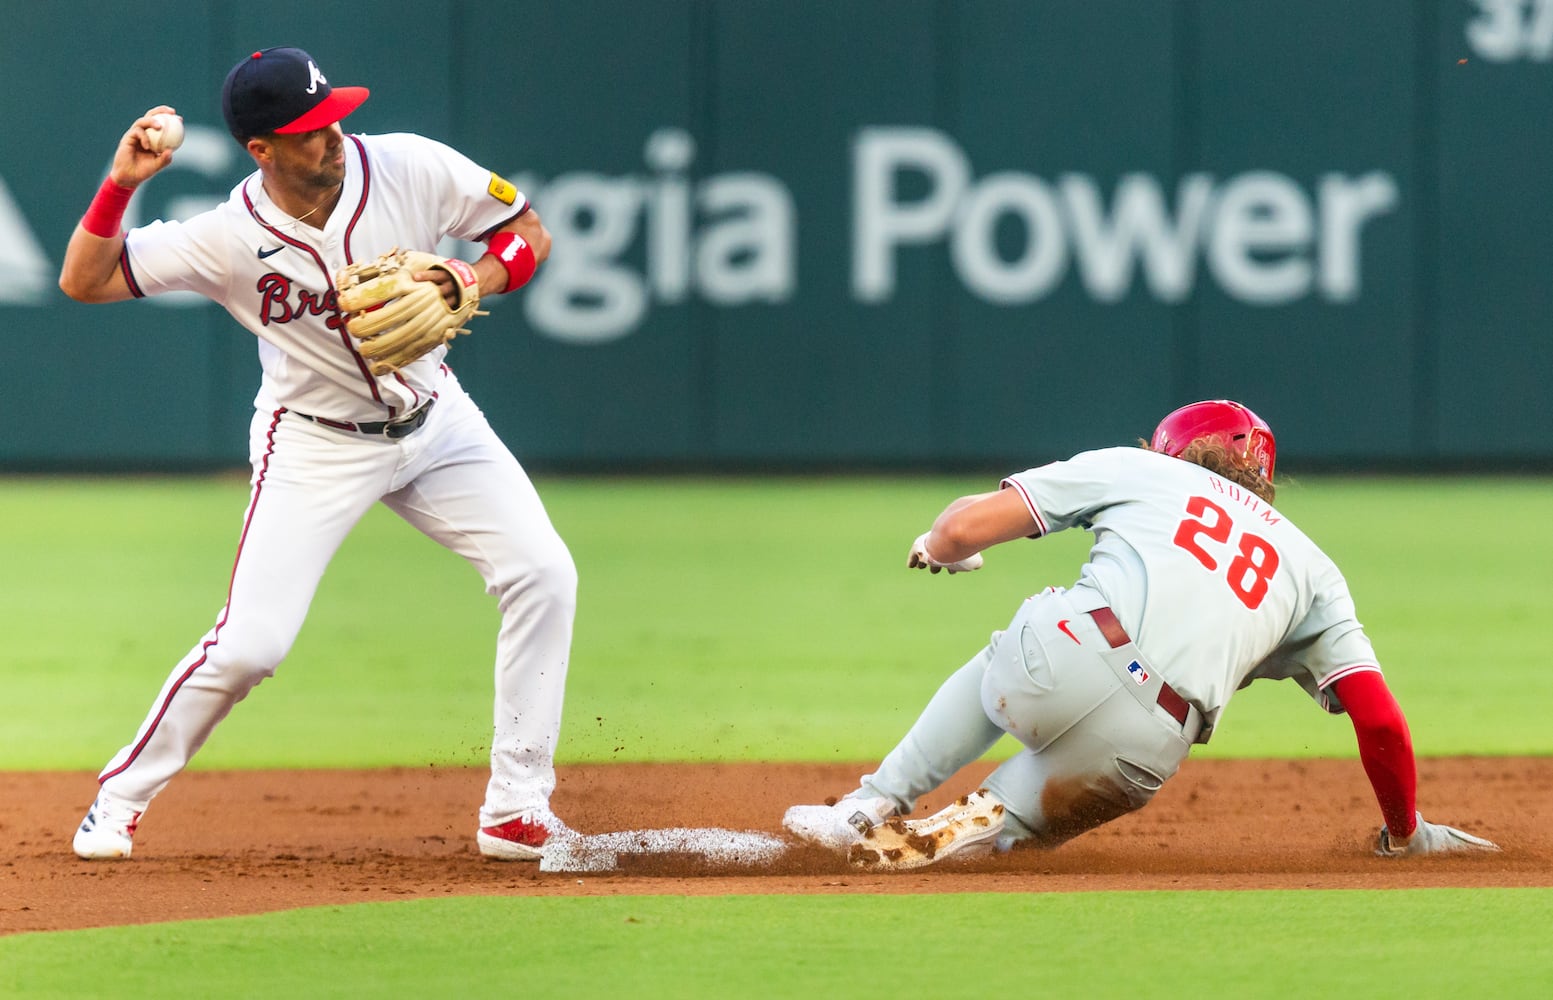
471	495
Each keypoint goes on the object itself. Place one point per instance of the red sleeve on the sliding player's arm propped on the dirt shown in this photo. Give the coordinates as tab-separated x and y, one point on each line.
1386	748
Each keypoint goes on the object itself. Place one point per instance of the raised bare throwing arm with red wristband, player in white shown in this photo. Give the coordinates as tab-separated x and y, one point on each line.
91	273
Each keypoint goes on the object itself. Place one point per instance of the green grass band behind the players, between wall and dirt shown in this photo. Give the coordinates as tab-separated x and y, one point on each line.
718	620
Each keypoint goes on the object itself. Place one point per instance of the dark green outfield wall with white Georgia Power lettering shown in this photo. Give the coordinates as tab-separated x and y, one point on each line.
802	232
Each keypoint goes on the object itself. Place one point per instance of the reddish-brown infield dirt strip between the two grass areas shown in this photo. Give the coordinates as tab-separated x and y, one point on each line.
221	844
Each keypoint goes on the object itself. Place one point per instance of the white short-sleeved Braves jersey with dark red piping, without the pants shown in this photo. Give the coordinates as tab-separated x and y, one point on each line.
276	276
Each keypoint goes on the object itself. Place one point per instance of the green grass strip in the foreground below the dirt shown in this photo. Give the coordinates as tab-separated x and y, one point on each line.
1395	945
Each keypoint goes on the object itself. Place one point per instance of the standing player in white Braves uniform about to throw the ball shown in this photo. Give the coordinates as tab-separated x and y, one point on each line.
328	439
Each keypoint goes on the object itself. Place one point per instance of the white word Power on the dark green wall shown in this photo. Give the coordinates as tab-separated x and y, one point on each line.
1265	238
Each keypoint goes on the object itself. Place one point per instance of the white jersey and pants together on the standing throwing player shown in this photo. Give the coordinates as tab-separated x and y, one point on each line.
450	476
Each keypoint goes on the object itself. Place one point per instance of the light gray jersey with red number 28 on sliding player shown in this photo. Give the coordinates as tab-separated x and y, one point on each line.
1214	585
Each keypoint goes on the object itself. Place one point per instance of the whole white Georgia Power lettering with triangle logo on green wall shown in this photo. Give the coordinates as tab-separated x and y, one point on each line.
625	245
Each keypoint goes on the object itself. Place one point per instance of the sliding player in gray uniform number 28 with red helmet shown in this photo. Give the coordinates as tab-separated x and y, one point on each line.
1195	588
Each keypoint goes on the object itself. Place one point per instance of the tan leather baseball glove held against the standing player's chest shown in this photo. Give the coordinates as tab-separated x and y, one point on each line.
397	319
